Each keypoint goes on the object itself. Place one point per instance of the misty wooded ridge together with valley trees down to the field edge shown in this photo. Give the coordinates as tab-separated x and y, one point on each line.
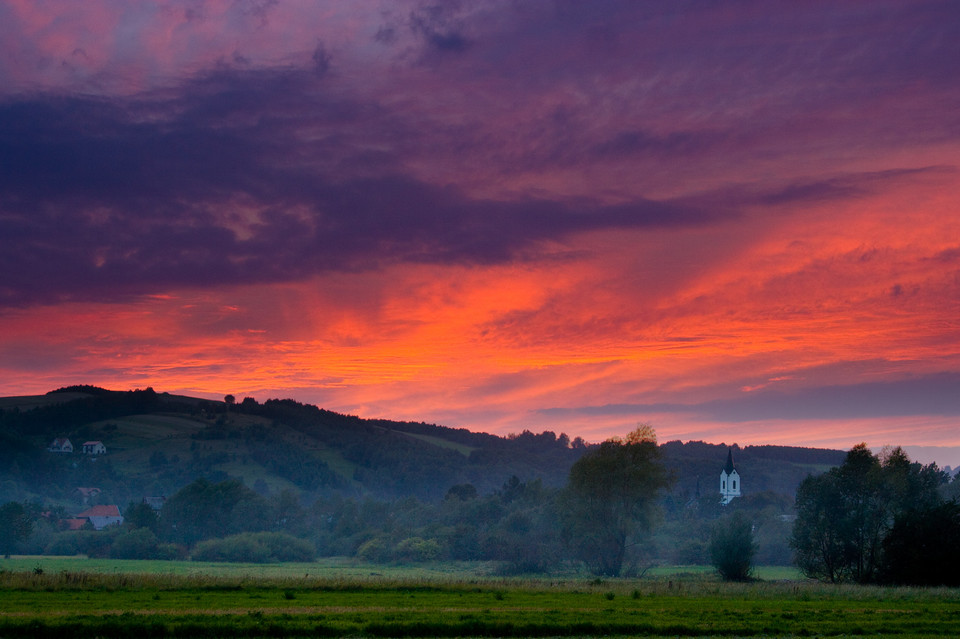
261	480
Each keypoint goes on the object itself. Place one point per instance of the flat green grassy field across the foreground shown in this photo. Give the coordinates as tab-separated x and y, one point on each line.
78	597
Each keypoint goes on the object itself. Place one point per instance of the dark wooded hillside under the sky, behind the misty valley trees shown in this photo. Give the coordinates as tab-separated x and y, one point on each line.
157	443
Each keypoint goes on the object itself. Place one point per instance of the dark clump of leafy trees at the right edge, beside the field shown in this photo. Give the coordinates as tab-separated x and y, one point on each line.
878	519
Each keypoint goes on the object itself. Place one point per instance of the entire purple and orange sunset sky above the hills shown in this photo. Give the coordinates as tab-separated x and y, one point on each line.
738	221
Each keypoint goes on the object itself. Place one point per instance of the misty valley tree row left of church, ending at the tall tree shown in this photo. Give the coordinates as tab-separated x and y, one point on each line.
599	518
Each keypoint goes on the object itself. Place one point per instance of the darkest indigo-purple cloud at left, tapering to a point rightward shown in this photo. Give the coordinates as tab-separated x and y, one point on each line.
103	198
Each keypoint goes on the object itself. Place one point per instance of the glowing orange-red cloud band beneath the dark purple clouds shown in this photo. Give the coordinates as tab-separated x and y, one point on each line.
624	320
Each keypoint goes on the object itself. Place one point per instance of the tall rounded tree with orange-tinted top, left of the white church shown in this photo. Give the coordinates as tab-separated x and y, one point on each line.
611	500
